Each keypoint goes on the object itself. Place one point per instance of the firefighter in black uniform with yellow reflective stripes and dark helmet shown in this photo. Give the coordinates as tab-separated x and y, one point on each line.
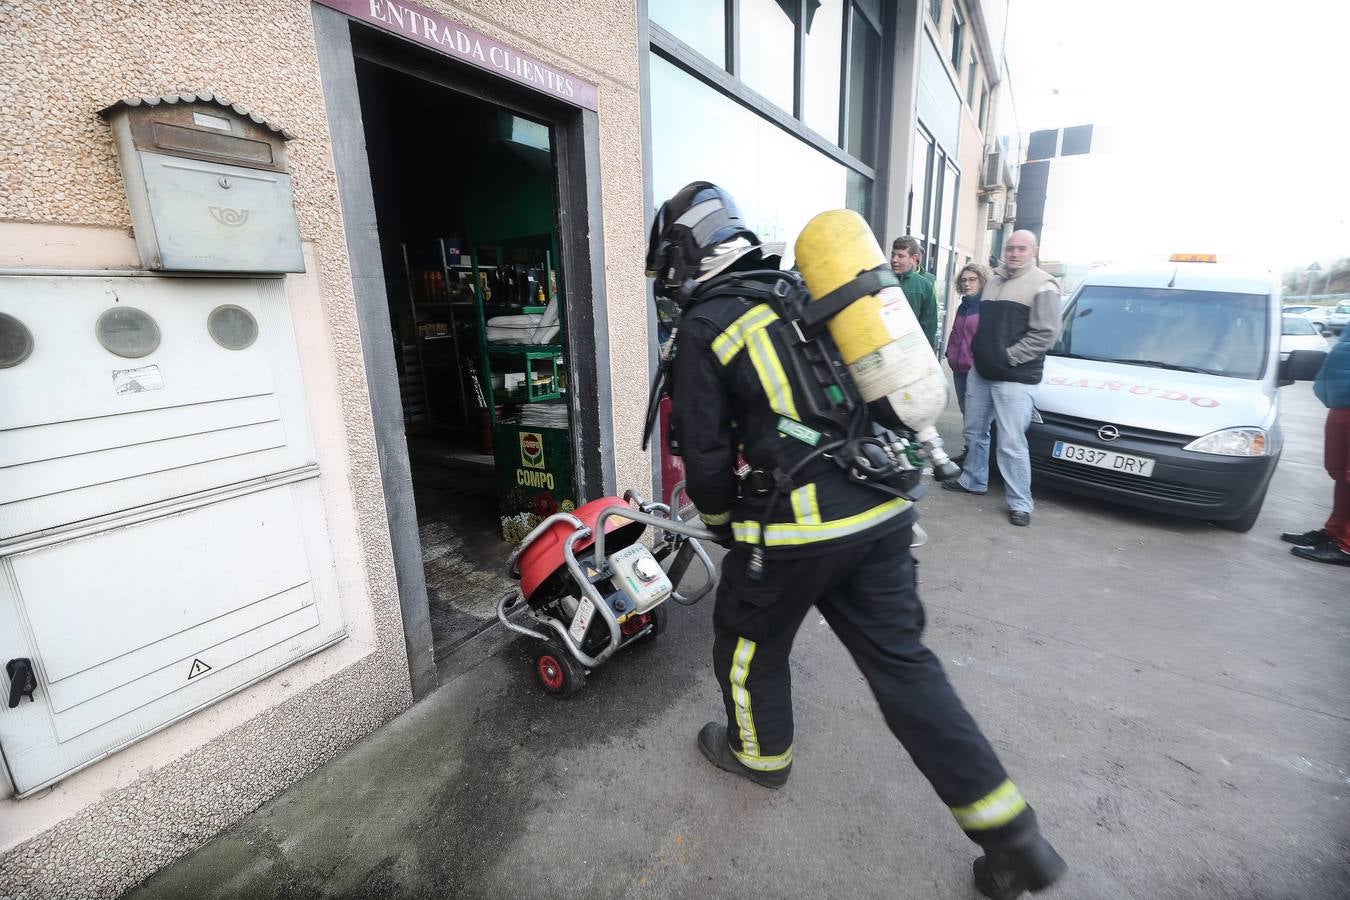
823	539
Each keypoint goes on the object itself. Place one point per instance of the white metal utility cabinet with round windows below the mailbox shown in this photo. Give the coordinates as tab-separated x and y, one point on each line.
163	536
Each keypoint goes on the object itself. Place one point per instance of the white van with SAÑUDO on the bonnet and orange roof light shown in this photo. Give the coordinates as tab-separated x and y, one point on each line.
1163	392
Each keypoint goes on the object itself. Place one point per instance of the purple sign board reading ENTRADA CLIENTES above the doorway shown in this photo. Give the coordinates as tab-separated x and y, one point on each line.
460	43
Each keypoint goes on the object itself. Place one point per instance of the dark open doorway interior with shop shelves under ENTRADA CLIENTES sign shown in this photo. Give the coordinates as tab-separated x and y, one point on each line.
466	202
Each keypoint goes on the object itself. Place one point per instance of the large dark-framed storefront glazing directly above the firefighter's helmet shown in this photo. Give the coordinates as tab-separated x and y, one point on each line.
819	64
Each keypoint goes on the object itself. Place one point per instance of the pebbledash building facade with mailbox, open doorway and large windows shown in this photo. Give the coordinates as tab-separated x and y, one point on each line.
306	308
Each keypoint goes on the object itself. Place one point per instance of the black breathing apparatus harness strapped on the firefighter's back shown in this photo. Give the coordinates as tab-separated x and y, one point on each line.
854	441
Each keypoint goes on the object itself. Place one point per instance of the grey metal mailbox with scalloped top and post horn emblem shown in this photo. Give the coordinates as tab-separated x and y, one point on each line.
207	184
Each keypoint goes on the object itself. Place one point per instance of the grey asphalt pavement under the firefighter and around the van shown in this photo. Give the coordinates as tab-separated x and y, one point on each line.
1171	697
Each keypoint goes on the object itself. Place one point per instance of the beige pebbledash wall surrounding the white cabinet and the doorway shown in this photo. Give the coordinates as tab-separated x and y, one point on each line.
63	206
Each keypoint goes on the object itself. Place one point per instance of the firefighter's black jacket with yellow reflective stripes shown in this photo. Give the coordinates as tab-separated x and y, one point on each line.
734	395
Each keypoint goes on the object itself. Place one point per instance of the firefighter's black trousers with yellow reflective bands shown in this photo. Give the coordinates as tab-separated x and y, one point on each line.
867	594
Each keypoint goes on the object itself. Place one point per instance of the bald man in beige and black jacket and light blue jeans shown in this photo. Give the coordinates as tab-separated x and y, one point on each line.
1020	319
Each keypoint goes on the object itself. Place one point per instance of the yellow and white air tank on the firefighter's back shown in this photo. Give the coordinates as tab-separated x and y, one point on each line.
878	335
